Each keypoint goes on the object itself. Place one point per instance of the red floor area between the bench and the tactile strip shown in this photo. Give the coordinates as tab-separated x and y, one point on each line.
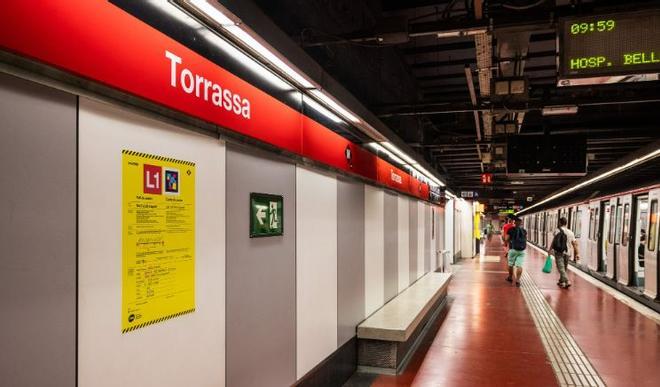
486	338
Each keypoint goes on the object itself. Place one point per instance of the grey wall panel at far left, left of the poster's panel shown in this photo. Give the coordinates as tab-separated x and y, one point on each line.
38	235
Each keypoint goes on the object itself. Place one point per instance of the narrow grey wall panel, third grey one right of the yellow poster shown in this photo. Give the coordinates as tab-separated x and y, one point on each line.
391	228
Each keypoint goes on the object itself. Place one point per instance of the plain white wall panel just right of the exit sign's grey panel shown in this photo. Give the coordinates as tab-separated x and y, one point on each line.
316	268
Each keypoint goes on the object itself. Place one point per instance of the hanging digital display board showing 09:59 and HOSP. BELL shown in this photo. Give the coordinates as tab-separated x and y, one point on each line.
612	48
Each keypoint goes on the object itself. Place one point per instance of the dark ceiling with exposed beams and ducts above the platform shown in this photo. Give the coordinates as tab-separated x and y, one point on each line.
389	55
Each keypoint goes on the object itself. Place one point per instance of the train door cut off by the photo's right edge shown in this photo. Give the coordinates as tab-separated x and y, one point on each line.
651	253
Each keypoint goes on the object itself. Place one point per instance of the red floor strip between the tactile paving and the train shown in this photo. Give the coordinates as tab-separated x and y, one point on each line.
621	344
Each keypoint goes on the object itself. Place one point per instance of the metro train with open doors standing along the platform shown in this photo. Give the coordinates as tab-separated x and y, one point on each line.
617	237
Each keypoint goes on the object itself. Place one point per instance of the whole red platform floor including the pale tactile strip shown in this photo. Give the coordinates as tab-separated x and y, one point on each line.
487	335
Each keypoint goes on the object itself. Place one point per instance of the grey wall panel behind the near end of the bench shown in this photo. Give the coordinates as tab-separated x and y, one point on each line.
350	259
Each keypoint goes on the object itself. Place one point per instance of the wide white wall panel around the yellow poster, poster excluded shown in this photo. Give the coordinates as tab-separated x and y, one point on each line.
185	351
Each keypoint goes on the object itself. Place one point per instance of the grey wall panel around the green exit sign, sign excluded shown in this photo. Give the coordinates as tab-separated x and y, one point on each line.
261	276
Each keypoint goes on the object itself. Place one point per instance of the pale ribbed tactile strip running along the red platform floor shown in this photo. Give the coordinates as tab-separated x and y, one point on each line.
569	363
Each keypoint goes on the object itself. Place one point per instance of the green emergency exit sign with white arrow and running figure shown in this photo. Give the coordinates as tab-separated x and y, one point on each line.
266	215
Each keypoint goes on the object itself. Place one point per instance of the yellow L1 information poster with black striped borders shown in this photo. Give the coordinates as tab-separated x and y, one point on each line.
158	239
